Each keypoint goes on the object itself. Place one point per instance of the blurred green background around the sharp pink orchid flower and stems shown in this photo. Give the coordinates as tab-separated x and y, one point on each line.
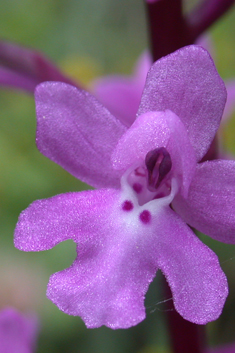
86	38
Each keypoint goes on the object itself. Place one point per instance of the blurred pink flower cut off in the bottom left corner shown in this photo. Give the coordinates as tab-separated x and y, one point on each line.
17	332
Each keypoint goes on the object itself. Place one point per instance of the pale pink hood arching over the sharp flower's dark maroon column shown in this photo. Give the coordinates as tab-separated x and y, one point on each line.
154	130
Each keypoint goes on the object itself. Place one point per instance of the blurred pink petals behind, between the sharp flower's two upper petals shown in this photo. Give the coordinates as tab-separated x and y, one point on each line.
122	94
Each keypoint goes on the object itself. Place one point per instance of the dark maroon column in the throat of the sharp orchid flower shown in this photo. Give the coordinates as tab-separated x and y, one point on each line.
158	163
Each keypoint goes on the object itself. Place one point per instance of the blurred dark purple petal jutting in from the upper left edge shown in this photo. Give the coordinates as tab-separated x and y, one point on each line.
25	68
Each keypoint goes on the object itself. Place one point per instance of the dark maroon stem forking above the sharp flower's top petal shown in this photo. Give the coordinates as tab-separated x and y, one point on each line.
170	29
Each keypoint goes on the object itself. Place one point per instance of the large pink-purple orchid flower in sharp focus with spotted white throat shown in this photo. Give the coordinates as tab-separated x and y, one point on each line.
151	188
